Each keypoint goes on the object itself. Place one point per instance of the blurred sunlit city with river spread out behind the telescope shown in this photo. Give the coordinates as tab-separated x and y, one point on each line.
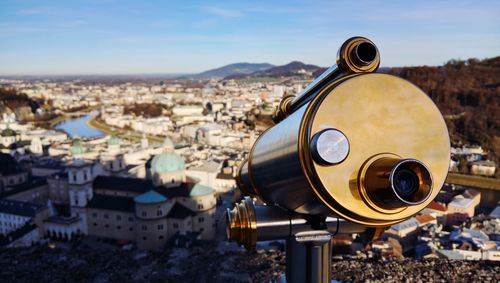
149	164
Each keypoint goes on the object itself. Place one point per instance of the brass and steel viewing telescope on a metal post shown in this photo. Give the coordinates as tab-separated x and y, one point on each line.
354	152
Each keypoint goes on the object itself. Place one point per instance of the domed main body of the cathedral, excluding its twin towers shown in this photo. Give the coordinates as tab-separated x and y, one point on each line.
151	212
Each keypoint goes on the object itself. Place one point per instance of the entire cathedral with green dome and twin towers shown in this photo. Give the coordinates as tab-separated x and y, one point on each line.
165	206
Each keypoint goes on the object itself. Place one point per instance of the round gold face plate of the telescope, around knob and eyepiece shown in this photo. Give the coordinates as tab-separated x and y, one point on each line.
379	114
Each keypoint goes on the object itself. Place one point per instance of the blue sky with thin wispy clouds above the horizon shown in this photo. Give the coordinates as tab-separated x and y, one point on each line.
145	37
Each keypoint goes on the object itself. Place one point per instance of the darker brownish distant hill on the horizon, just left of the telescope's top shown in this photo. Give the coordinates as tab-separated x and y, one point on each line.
291	69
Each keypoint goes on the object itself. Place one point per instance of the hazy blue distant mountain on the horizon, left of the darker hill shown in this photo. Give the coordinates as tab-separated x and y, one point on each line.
231	69
